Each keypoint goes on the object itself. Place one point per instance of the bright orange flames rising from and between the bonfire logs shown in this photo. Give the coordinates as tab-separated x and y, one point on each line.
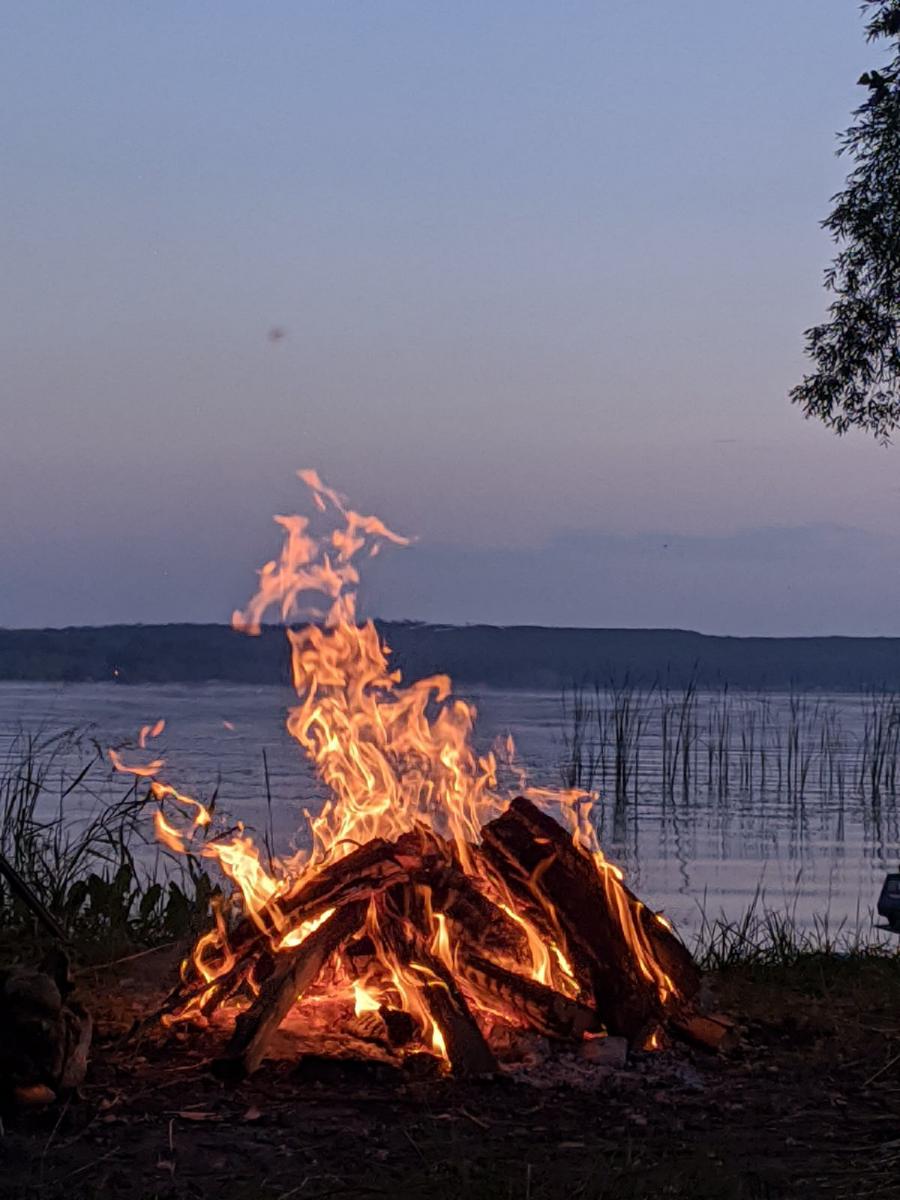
397	758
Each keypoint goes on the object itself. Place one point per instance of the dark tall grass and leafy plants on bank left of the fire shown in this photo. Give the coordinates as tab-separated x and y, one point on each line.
86	856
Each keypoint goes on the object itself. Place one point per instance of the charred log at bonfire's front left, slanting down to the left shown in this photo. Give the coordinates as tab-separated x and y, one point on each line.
293	976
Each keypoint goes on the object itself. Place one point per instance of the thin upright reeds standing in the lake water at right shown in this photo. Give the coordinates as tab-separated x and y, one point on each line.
733	745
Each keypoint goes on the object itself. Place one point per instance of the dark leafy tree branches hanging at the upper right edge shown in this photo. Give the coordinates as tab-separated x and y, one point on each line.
856	352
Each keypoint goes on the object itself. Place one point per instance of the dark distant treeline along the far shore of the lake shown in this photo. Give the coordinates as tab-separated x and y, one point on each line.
517	657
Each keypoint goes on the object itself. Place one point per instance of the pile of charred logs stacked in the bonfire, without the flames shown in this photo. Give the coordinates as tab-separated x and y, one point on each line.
632	976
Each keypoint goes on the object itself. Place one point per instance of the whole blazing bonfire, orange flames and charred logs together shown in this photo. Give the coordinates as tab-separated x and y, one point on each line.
436	909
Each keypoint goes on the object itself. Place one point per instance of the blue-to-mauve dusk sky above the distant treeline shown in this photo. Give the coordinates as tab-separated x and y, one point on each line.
543	273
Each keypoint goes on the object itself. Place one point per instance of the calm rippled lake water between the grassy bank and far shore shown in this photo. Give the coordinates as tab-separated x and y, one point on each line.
781	793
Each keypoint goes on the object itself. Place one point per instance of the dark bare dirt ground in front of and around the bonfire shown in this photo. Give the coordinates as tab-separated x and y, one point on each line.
807	1106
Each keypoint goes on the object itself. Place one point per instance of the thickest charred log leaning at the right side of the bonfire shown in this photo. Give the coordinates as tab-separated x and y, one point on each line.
631	963
